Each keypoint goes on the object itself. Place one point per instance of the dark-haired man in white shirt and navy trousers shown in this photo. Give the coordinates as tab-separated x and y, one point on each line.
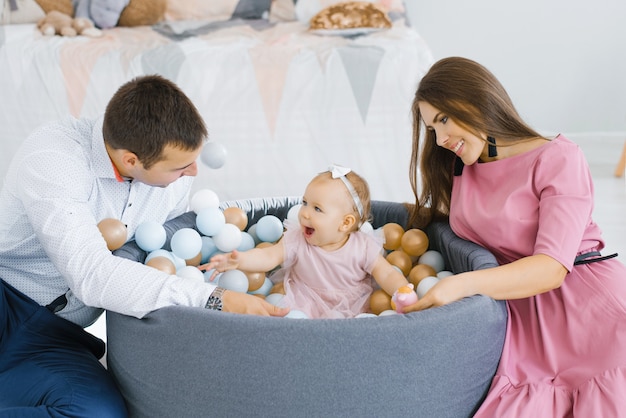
134	164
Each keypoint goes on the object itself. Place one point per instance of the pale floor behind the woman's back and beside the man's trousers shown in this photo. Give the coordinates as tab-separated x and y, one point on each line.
610	211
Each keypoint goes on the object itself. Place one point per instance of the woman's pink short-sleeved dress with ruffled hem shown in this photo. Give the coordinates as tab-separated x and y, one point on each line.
565	350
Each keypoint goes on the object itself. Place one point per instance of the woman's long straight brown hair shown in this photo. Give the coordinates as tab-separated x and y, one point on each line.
469	94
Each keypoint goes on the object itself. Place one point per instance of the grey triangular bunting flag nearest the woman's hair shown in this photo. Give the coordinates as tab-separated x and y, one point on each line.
361	64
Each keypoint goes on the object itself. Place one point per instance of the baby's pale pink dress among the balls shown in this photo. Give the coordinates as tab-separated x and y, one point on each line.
328	284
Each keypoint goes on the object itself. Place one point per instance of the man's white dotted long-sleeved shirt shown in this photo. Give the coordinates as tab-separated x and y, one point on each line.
59	185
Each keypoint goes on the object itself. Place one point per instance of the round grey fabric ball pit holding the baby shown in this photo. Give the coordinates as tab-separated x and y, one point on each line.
191	362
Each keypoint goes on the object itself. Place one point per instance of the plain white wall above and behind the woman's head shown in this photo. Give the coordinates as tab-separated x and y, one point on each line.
562	61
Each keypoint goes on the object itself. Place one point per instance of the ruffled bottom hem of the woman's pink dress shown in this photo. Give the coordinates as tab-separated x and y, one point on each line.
602	396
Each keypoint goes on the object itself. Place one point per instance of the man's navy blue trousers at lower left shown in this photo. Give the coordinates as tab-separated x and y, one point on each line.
49	366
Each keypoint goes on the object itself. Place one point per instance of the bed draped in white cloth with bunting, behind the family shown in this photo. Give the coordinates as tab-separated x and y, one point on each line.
285	102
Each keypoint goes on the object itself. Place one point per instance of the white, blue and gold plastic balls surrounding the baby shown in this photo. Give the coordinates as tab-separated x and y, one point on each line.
224	230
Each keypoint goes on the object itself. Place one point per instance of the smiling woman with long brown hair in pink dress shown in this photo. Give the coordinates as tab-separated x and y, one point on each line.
528	199
